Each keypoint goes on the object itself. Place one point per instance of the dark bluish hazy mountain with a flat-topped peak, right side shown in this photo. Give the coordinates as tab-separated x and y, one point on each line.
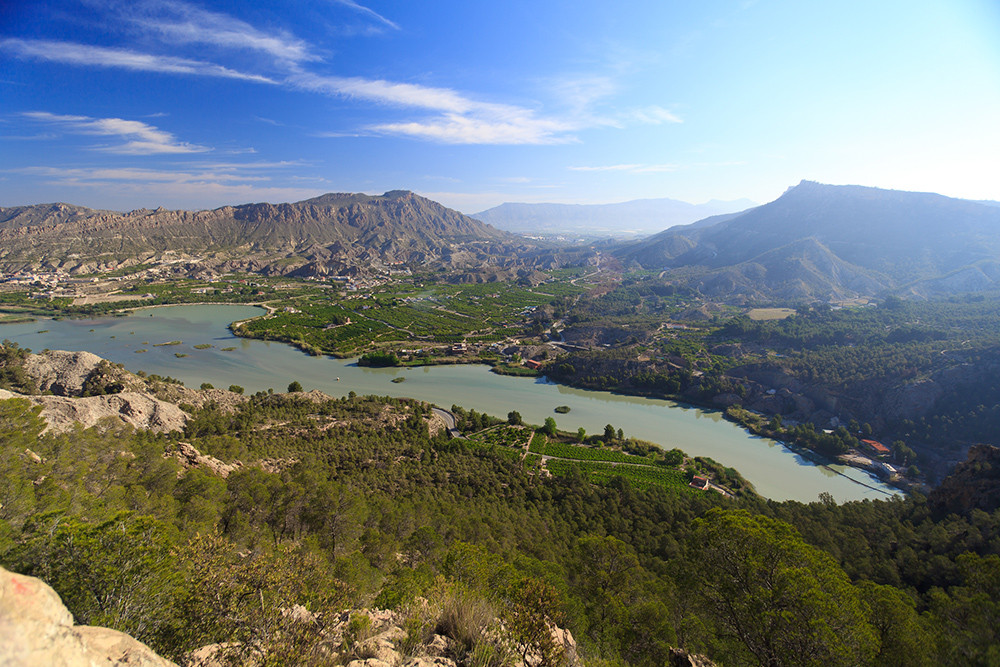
832	241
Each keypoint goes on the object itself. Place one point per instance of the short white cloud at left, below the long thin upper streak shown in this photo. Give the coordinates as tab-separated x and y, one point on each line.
140	138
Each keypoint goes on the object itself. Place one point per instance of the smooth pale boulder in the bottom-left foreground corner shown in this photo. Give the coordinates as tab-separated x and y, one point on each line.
37	629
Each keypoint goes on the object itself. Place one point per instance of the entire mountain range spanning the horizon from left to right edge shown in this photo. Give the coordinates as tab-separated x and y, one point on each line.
816	241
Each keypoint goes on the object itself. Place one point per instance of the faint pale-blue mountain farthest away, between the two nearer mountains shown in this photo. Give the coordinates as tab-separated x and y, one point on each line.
631	218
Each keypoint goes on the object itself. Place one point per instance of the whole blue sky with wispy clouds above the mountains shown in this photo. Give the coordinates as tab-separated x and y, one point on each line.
124	104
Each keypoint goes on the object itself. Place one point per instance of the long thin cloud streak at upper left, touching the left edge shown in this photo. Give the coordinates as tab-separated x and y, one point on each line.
71	53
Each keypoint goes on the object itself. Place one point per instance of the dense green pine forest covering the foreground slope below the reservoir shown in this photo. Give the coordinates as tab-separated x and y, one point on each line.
346	503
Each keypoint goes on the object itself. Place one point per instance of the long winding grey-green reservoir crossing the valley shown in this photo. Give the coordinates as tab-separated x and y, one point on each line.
775	471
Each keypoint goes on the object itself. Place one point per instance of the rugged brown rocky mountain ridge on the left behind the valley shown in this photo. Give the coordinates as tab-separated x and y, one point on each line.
333	233
